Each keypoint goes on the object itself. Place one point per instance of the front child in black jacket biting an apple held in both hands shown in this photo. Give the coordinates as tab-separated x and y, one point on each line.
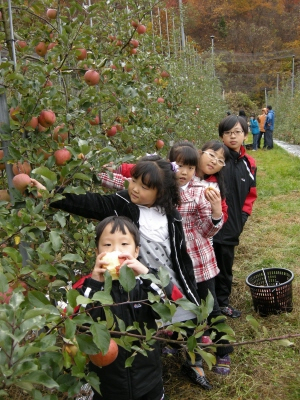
117	242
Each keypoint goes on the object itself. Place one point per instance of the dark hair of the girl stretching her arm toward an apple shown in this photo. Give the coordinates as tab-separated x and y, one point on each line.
157	173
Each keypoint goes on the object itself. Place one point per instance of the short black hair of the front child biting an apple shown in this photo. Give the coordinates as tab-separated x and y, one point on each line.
118	224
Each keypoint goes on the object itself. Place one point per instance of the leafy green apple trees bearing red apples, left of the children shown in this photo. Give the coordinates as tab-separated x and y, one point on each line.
84	85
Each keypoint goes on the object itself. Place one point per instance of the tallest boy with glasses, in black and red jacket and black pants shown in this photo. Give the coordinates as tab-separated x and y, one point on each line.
240	181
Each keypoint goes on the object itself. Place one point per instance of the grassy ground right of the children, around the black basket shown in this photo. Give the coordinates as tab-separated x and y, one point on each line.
271	238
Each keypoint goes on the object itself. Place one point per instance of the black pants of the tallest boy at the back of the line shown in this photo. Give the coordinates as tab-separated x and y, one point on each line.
223	281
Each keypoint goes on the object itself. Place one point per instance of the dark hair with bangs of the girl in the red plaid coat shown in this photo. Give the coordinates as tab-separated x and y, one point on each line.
185	152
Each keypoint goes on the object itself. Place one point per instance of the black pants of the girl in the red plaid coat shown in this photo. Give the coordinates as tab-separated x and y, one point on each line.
203	288
